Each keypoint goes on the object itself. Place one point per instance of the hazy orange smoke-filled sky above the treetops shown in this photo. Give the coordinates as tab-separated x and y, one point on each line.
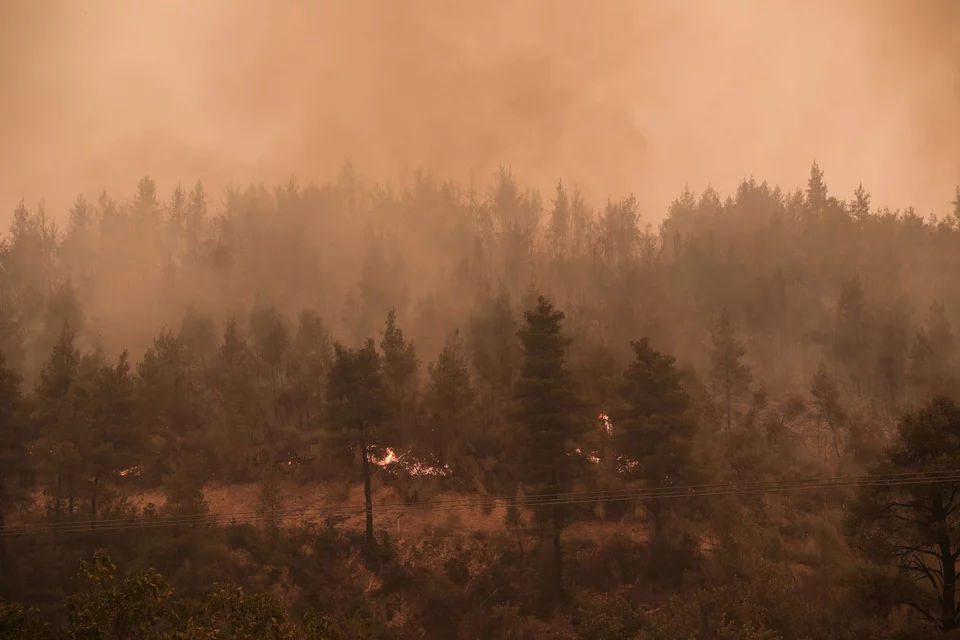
613	96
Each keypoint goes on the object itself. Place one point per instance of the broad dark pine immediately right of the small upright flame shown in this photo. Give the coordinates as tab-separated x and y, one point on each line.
654	427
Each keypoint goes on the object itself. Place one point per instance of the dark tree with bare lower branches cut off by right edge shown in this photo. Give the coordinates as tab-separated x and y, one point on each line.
917	526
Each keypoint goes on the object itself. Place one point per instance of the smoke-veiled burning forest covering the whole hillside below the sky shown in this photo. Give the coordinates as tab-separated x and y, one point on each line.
352	410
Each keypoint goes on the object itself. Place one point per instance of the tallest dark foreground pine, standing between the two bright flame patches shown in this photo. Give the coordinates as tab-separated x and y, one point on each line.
548	411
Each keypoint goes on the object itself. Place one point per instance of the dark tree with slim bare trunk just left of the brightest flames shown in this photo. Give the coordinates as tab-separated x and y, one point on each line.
359	409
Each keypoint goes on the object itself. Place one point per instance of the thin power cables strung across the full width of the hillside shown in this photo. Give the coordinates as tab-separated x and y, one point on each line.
547	499
